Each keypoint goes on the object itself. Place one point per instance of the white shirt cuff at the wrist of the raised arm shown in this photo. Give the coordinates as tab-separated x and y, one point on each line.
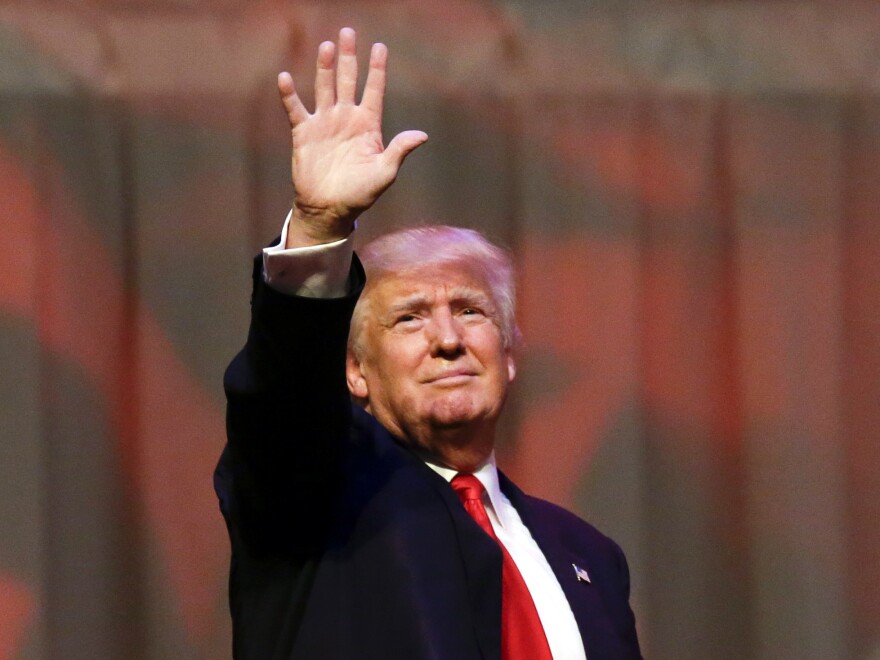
317	271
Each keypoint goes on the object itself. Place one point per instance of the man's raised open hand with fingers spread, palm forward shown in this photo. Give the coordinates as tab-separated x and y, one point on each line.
340	165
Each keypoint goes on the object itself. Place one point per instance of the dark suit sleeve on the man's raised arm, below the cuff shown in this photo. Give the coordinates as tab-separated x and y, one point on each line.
288	418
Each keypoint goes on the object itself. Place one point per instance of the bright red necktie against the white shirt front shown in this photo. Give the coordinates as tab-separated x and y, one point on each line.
522	635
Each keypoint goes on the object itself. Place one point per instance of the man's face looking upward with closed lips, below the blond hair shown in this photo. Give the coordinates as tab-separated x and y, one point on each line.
432	356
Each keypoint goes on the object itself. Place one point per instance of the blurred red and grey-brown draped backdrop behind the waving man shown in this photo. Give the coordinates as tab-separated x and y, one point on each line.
691	190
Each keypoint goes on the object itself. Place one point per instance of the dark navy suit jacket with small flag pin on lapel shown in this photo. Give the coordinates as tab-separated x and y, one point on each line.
344	543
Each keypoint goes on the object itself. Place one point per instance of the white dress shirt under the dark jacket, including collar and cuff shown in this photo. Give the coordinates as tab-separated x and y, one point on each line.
322	272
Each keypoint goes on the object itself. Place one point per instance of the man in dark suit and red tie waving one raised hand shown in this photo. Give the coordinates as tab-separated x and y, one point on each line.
383	529
